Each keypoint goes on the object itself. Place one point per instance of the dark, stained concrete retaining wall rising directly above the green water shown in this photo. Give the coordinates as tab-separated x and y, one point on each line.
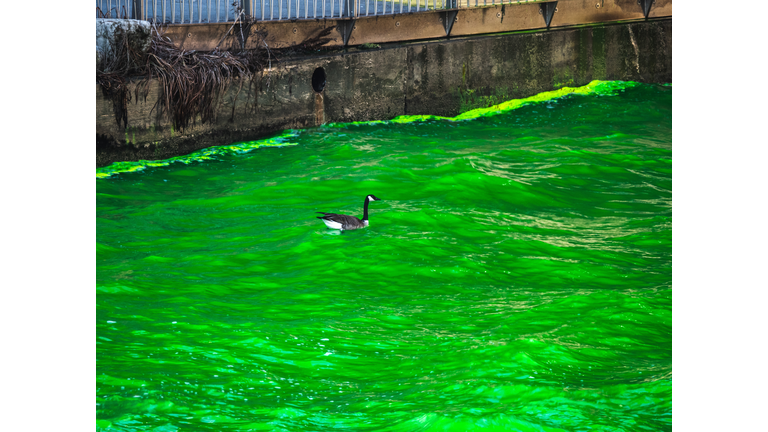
443	77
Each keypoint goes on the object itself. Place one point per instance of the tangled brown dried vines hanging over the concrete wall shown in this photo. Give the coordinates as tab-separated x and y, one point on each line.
191	82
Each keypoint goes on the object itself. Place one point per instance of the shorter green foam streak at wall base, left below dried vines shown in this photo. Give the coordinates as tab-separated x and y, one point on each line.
200	155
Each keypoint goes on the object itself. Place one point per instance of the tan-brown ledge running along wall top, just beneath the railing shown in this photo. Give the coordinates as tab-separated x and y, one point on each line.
418	26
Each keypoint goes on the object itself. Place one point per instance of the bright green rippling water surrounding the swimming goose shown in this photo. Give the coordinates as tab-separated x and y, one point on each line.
516	276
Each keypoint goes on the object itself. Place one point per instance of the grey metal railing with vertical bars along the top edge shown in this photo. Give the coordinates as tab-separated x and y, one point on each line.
214	11
